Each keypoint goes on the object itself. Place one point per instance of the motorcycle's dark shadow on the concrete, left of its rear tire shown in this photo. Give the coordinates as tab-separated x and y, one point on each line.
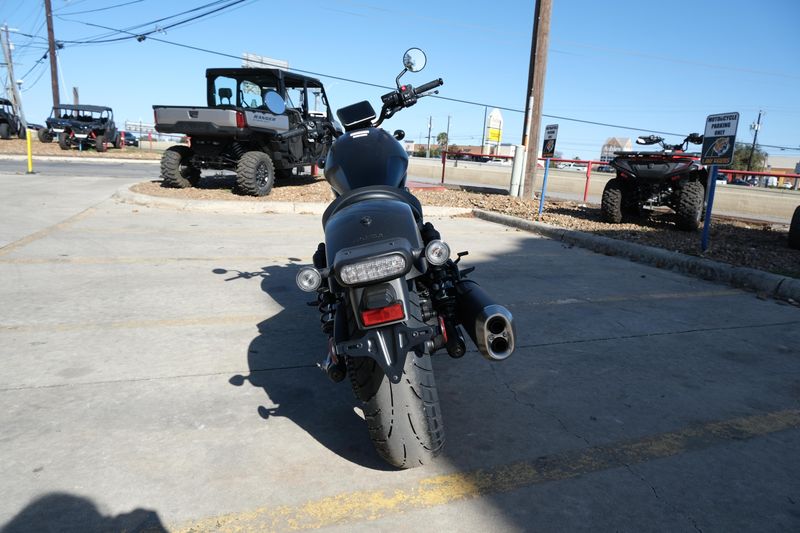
282	361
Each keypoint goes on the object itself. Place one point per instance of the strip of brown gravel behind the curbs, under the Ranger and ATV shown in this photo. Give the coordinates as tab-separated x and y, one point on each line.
755	245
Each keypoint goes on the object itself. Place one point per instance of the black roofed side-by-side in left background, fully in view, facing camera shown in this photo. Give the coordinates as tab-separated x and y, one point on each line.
82	126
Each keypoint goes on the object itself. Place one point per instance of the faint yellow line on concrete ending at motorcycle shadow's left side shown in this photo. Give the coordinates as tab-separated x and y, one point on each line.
223	320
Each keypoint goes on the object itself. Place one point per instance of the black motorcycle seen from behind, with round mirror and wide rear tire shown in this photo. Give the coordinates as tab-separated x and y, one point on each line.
388	292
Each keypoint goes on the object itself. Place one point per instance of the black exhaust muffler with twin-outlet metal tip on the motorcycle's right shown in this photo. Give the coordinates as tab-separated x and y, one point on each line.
489	324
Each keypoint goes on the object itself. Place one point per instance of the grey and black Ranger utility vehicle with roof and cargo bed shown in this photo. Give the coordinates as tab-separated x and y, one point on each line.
241	128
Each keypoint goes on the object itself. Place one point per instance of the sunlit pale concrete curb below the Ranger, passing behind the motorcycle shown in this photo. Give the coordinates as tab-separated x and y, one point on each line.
251	207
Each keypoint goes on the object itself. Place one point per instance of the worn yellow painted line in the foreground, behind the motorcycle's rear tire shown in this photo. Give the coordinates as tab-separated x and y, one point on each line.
362	506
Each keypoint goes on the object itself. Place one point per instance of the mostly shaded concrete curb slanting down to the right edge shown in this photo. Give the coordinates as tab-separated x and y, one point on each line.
773	285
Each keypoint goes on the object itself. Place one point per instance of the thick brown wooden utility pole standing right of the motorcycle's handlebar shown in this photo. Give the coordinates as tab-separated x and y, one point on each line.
533	106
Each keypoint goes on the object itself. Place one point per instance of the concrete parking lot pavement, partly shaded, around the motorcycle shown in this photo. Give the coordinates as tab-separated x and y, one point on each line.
158	371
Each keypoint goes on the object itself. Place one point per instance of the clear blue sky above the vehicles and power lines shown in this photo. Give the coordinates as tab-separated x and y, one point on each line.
652	65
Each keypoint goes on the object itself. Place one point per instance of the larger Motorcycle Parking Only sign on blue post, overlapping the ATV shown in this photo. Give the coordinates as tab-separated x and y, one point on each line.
719	142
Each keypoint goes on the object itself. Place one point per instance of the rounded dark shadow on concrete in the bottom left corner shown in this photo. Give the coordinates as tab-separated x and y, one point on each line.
67	513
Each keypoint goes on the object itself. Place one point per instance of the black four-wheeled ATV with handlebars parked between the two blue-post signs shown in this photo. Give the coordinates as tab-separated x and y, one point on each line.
671	178
